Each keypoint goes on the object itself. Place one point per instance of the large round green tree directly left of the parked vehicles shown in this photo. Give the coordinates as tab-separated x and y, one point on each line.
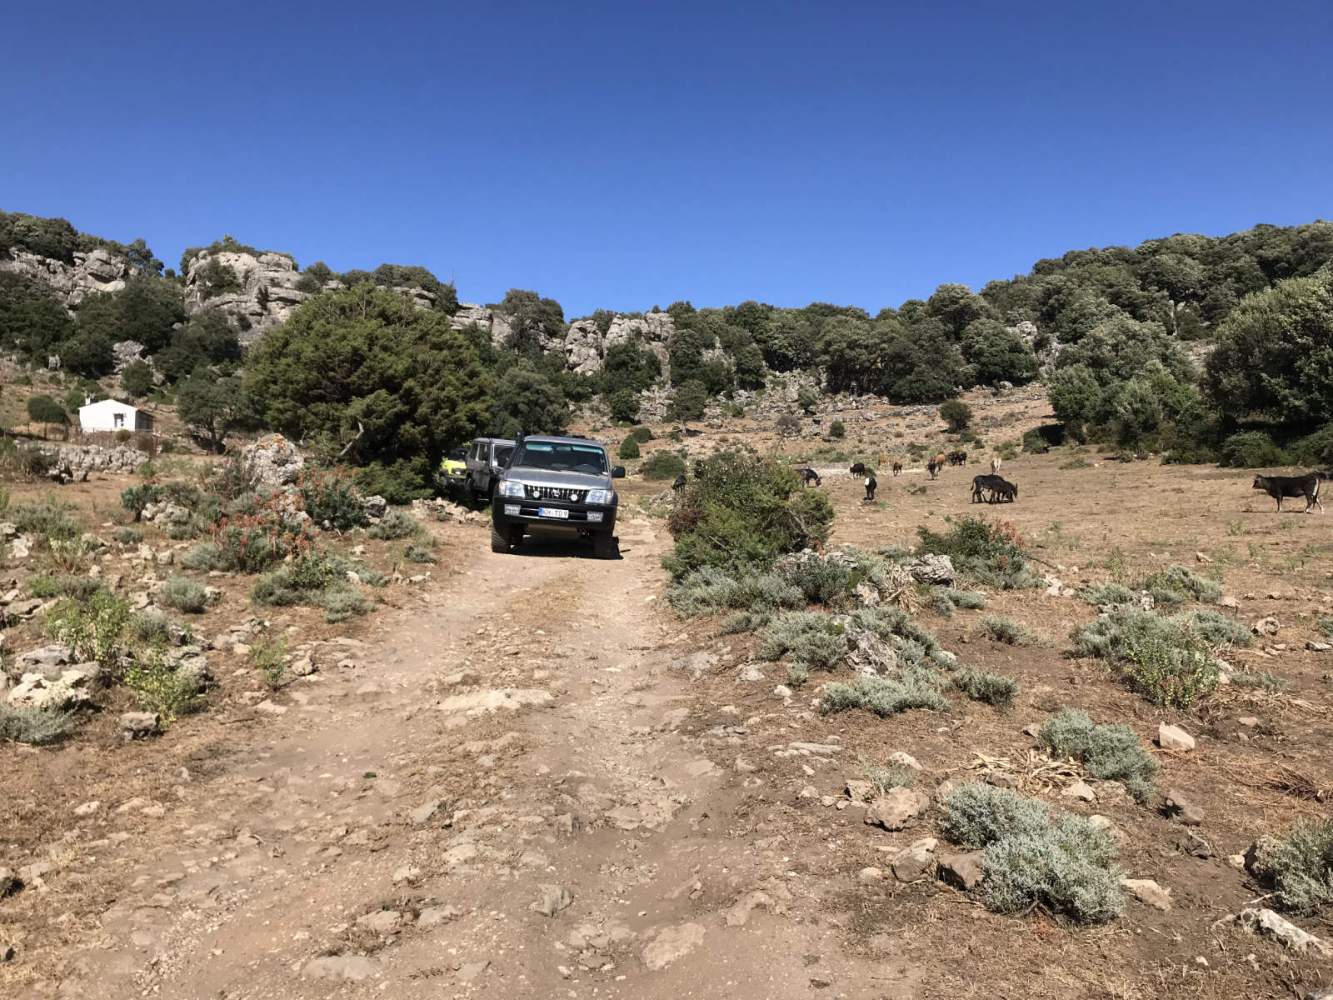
365	369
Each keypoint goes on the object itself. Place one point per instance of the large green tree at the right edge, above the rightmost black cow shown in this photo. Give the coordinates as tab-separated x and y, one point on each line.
1275	355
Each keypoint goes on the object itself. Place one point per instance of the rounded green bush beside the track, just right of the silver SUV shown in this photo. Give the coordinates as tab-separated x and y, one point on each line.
742	513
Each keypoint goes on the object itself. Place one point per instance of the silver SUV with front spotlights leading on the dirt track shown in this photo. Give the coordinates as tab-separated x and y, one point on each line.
557	483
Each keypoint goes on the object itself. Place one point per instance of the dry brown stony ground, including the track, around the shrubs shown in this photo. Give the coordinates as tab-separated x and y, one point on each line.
526	777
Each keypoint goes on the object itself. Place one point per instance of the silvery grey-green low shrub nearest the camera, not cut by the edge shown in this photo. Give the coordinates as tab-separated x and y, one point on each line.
1032	857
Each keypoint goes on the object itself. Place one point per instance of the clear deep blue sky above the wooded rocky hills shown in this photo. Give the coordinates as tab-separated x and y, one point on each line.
625	154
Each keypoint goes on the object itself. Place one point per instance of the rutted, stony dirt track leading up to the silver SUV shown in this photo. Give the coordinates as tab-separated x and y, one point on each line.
511	795
